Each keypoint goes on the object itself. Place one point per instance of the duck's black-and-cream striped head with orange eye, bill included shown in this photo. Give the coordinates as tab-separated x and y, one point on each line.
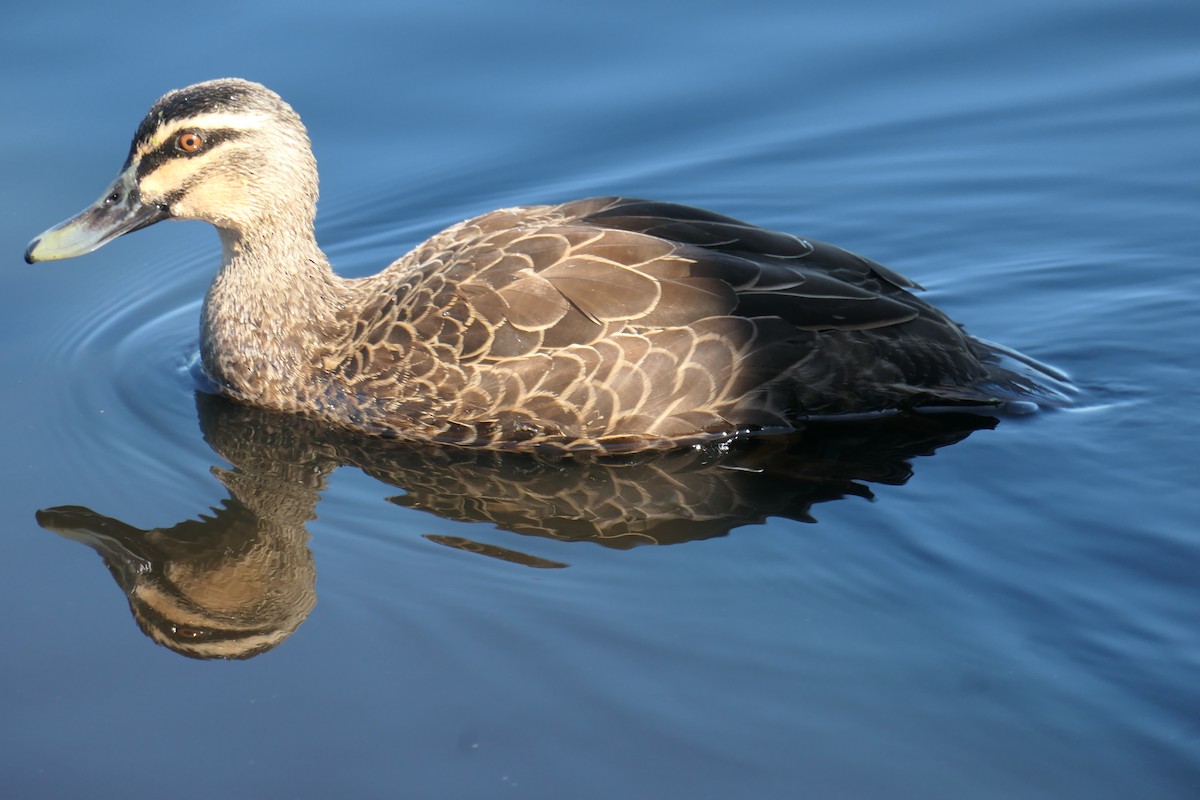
229	152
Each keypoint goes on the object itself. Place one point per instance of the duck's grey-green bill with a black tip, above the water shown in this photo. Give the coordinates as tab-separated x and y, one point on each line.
118	212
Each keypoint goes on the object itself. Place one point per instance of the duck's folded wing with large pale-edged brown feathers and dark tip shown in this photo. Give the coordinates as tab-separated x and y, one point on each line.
545	278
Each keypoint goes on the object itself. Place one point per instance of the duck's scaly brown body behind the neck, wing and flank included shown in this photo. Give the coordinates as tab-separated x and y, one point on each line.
625	324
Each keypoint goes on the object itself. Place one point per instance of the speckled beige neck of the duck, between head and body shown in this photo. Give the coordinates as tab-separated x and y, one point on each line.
272	304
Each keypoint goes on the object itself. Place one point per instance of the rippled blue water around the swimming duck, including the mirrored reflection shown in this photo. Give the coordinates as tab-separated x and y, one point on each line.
1016	618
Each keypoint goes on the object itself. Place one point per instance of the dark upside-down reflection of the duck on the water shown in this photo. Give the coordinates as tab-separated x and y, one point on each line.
239	581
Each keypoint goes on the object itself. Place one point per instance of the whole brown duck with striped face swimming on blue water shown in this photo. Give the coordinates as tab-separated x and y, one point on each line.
597	326
